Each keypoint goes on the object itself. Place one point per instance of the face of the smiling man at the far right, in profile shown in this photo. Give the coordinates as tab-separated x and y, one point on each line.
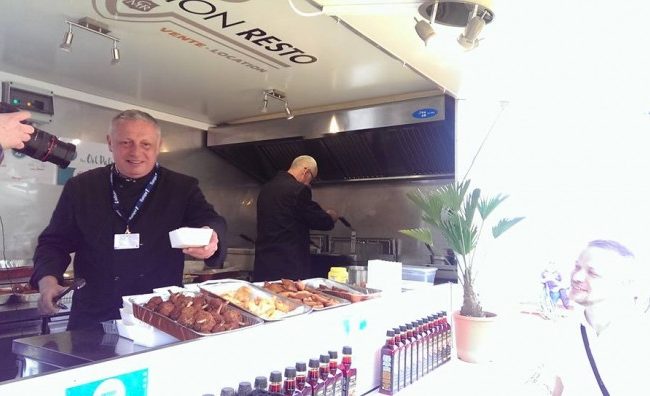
597	276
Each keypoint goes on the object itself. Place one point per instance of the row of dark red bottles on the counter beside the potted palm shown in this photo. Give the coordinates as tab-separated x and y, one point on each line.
413	350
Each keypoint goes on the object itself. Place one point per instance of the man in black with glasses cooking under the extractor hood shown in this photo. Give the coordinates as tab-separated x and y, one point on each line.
285	214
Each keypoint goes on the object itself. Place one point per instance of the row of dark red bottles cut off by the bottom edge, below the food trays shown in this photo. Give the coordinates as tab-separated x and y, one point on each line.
321	377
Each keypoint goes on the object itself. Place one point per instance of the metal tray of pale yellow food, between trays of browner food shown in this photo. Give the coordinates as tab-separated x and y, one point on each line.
219	287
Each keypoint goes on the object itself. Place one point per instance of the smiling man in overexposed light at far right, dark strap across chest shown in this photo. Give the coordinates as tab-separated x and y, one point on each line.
602	352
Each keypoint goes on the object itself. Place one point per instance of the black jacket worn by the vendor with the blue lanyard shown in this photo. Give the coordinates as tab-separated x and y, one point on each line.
85	223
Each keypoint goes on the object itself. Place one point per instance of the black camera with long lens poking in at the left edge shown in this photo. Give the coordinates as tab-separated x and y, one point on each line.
44	146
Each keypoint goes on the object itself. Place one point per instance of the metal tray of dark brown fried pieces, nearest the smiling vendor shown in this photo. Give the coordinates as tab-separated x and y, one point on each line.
178	330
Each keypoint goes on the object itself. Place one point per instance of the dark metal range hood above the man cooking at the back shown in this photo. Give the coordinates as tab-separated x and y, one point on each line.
410	139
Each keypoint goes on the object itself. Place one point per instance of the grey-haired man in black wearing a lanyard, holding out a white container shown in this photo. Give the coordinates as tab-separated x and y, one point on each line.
117	219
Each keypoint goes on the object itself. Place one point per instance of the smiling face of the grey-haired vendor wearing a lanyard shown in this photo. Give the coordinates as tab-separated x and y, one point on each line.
135	145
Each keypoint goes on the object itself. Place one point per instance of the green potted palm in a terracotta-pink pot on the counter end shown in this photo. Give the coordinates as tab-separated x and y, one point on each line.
460	215
